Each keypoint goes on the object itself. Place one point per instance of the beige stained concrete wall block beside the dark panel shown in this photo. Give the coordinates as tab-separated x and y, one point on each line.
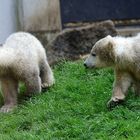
40	15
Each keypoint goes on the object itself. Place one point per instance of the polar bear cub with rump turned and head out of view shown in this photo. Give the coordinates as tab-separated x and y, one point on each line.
23	58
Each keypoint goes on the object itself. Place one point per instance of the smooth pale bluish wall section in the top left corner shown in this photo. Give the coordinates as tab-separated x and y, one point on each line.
8	18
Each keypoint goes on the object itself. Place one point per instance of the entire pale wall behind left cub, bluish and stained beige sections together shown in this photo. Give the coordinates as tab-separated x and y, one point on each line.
29	15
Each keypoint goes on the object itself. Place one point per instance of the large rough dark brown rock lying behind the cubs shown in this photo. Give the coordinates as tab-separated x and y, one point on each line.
72	44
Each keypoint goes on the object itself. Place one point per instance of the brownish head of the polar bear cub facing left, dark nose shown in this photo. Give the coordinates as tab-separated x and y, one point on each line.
102	54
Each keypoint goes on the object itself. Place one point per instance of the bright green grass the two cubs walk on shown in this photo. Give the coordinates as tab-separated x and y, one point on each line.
74	109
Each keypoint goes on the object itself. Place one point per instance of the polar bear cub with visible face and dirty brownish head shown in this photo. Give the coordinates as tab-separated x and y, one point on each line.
123	54
